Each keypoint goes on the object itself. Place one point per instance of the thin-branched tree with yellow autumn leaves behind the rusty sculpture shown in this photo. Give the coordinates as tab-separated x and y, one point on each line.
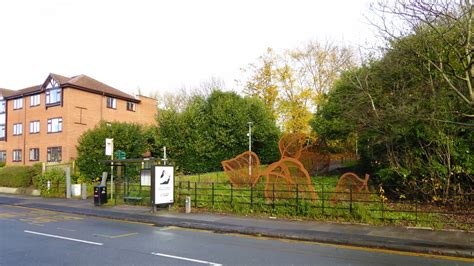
292	83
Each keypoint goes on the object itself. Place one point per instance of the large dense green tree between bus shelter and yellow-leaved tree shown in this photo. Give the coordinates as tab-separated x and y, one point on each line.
214	128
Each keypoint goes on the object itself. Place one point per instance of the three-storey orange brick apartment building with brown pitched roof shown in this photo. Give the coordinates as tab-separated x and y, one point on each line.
43	123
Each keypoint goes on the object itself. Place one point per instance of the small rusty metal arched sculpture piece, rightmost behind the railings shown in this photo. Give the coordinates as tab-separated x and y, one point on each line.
351	188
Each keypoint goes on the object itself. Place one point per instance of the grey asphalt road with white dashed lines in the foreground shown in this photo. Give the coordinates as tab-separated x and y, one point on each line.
37	237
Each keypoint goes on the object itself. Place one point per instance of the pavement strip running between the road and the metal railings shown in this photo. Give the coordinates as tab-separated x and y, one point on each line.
439	242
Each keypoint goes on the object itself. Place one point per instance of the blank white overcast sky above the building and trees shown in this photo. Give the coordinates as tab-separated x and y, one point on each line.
162	45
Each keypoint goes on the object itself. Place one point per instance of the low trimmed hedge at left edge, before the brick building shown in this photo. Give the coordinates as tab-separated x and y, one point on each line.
17	176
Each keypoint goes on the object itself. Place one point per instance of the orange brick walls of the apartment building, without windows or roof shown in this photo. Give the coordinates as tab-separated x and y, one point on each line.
80	111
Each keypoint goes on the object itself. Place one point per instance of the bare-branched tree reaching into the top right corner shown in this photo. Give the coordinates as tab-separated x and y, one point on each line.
445	41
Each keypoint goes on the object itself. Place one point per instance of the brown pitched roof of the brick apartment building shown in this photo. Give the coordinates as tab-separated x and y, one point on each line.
81	82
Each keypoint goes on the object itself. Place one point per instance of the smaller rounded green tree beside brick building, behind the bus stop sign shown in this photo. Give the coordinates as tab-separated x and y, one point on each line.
131	138
